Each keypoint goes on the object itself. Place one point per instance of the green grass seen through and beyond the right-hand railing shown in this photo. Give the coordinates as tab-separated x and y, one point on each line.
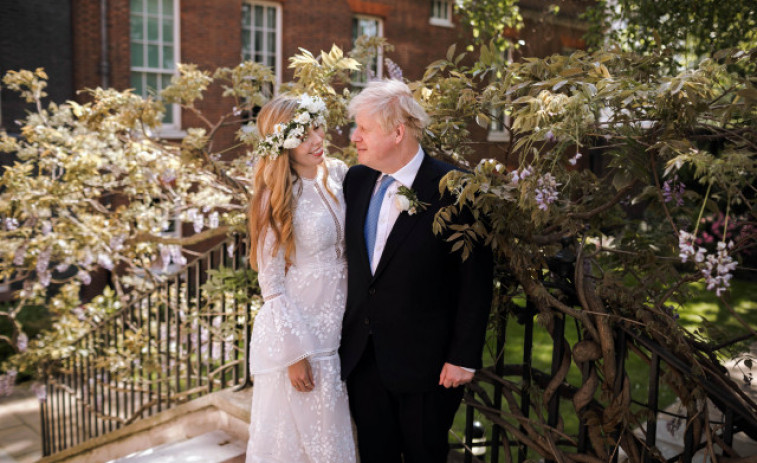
702	311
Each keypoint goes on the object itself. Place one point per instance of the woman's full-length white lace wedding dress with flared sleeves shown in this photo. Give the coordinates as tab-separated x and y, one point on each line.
302	318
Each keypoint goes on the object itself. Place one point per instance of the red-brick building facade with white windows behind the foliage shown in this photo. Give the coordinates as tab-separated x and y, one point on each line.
139	41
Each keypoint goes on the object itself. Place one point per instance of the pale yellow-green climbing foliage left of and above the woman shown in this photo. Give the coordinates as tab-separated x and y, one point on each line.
95	186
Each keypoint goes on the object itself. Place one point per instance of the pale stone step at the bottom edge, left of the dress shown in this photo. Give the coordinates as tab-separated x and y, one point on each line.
211	447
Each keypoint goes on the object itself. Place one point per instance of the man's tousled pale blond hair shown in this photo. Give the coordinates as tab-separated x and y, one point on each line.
392	103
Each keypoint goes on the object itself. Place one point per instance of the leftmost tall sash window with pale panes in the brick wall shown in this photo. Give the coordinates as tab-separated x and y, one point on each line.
155	51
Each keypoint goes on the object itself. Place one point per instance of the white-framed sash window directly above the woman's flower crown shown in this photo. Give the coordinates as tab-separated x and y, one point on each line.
261	34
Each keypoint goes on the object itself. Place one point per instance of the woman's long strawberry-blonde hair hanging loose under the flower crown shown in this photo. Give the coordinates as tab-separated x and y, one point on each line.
272	204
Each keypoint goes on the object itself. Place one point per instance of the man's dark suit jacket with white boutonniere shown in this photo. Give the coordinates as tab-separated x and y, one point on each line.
424	306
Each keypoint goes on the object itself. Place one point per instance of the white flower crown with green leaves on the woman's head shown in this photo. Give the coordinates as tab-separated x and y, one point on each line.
311	111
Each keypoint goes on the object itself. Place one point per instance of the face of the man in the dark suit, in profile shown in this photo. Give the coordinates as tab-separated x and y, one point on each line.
375	147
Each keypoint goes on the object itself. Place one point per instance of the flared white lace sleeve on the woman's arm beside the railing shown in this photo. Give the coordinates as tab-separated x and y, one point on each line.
281	336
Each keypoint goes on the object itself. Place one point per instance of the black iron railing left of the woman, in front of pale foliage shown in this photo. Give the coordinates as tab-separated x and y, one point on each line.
164	348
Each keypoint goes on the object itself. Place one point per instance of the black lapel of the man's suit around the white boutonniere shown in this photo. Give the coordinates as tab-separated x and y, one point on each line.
426	187
